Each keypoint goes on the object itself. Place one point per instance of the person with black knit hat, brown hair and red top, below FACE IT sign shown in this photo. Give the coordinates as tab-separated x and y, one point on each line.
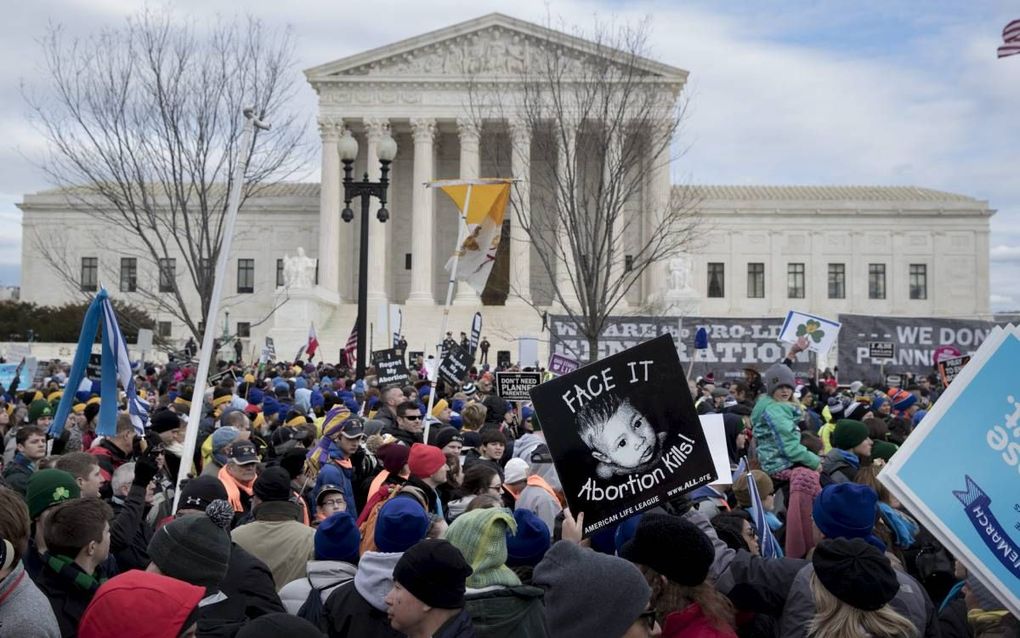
675	557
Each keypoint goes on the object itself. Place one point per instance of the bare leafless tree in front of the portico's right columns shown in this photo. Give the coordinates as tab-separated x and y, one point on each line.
606	125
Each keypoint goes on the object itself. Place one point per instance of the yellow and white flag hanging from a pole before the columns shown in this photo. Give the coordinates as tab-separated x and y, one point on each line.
483	205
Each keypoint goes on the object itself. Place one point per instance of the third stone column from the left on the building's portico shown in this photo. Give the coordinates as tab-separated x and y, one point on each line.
424	131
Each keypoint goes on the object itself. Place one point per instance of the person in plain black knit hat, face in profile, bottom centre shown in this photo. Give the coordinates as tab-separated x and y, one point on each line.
428	596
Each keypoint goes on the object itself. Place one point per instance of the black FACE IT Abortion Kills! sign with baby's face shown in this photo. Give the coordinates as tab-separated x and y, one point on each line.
625	434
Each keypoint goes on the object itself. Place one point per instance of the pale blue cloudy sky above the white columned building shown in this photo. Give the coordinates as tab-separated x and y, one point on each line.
799	92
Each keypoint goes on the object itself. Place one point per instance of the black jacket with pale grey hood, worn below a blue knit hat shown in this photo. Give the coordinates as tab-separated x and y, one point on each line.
359	607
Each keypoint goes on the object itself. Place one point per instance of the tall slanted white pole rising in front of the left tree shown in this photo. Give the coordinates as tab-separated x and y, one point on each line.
198	396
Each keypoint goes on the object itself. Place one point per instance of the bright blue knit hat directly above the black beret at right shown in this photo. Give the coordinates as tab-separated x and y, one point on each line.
848	511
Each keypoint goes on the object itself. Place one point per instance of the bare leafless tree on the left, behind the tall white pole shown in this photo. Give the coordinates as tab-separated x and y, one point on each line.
143	128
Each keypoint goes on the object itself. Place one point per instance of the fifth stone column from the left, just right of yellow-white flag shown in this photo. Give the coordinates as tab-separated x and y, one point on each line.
521	213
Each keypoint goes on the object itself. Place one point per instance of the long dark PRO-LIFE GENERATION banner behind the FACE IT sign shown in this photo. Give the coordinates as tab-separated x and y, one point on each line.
734	343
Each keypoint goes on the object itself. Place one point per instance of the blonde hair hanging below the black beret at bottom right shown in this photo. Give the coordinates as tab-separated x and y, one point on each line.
836	619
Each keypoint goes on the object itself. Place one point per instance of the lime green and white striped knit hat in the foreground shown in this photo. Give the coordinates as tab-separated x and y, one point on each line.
482	536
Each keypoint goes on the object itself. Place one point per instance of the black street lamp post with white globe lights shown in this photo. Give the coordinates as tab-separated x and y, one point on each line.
387	151
